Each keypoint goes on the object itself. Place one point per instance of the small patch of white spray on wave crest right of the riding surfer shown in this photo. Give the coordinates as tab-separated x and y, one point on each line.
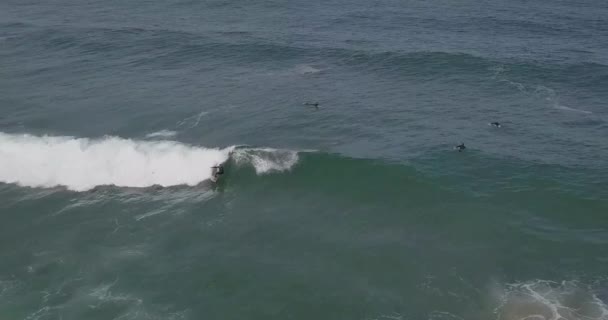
266	160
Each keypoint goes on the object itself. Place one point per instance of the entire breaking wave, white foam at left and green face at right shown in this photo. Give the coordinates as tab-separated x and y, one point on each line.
547	202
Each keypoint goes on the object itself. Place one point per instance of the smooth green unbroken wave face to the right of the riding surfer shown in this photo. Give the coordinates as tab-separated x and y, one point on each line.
531	197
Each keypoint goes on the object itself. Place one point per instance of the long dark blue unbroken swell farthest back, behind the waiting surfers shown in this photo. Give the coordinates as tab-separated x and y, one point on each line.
138	47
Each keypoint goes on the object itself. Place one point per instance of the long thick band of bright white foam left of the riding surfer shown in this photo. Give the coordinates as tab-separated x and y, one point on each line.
81	164
